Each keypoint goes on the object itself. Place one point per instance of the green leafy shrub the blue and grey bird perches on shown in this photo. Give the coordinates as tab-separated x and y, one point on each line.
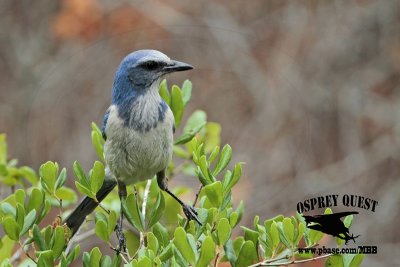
158	235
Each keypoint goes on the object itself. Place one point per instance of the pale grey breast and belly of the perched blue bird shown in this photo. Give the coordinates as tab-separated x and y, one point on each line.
139	150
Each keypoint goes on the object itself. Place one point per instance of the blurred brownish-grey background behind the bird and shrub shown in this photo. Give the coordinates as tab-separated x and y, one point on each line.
307	92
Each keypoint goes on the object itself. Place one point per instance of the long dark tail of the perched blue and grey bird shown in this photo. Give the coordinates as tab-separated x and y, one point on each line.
87	205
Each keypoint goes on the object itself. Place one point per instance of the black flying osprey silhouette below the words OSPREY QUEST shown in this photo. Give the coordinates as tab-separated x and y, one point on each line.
331	224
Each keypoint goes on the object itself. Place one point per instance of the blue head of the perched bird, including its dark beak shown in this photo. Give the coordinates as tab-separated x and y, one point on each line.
138	72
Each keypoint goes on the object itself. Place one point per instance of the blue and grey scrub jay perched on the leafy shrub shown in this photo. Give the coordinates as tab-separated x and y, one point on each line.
138	129
